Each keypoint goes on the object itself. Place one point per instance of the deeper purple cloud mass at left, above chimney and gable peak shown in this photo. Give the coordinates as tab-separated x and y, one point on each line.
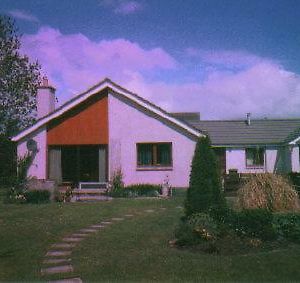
73	62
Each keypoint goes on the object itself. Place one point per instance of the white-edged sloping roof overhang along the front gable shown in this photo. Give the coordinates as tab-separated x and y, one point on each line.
106	84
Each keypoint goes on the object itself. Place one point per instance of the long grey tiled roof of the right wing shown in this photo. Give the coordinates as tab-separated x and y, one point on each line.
259	132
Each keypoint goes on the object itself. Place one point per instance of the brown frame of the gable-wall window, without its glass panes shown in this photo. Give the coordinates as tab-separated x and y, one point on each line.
154	165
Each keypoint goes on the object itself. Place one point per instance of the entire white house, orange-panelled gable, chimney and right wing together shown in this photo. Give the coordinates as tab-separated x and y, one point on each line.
108	128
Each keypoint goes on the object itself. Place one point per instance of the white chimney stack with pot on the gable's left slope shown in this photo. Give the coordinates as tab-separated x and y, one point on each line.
45	98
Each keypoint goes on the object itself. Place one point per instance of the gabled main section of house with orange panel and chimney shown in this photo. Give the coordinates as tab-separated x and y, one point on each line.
103	130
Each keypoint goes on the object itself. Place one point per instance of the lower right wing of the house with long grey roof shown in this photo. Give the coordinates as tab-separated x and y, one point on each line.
253	145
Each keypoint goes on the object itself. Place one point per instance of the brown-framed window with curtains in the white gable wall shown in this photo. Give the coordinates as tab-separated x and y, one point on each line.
154	154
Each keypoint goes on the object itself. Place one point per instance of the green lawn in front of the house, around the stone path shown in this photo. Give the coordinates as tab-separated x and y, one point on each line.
135	249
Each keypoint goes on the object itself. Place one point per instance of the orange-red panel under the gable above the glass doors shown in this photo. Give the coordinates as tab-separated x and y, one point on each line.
85	124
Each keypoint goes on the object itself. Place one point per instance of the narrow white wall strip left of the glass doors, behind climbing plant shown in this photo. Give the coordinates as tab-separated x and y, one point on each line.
38	167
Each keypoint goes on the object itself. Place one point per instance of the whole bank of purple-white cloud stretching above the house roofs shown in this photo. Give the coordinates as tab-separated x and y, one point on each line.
73	62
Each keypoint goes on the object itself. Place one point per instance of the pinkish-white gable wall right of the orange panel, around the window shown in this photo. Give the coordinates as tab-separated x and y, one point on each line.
129	126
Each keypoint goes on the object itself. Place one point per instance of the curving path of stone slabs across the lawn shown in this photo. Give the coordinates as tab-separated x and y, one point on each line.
58	261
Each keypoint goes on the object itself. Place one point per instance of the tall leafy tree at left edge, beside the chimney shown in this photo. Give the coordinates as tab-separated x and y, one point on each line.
19	79
